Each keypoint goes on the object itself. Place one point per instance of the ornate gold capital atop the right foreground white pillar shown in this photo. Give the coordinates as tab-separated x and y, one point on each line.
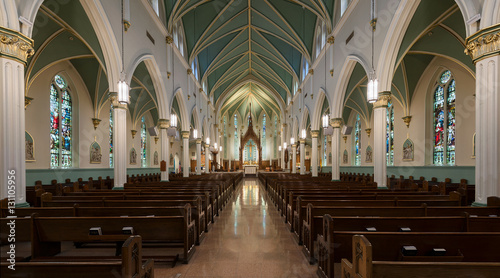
484	43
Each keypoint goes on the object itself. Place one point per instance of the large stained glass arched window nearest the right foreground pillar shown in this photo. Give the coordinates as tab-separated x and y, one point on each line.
444	120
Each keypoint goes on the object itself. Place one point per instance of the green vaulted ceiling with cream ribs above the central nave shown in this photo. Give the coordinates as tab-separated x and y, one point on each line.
252	40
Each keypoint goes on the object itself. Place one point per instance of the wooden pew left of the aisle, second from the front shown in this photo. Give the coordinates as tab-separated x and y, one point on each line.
49	232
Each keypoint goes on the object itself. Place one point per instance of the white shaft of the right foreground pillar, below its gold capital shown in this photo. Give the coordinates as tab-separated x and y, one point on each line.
487	129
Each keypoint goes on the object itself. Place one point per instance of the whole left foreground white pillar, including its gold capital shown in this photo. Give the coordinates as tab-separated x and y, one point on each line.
15	49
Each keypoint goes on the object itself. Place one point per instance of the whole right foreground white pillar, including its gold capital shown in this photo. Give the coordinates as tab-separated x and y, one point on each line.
485	53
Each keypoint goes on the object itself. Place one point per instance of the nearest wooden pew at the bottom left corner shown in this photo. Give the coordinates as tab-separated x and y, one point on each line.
129	265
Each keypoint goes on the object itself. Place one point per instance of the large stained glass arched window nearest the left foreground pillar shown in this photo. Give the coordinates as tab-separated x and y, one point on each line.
60	123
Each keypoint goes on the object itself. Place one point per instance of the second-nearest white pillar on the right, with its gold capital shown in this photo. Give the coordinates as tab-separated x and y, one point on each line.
379	139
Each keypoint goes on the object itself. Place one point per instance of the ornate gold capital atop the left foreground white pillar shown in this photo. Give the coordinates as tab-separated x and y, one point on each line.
15	45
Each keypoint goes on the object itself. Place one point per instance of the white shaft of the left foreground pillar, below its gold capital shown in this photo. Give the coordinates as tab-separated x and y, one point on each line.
13	167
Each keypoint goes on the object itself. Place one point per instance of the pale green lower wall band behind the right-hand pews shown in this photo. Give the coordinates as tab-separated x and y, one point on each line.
440	172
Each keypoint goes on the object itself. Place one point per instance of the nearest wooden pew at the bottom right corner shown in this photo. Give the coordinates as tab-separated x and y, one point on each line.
364	265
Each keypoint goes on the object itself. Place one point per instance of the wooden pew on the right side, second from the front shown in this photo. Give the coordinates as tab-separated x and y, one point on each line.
474	247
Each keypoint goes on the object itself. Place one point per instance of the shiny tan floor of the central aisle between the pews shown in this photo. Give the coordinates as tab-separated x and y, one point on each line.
249	239
